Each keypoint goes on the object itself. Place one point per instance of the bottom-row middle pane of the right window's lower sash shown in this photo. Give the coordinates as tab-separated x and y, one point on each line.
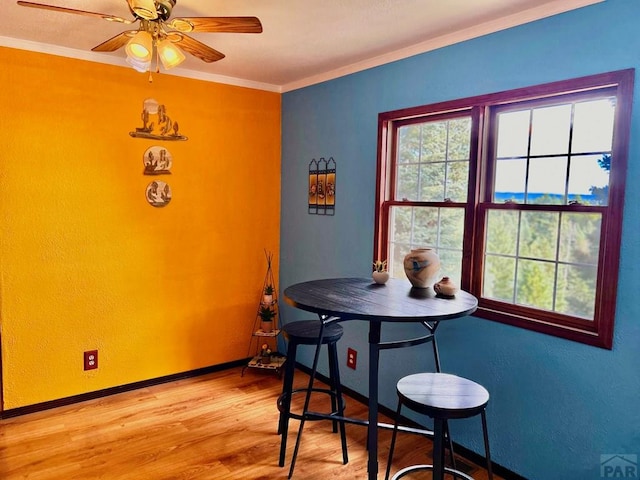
535	284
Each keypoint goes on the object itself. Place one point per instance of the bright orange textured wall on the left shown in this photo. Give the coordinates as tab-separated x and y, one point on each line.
86	263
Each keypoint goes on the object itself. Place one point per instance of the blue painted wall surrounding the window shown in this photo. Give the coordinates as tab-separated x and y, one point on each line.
556	405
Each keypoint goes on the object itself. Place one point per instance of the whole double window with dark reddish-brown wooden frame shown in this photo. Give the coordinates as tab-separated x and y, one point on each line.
521	195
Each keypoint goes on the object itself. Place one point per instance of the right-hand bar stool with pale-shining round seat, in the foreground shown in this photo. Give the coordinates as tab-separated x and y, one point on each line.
442	397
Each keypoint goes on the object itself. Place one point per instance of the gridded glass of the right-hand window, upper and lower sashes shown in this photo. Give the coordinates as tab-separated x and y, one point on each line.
548	154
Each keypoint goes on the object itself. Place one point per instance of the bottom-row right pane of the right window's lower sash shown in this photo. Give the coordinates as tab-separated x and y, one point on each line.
576	291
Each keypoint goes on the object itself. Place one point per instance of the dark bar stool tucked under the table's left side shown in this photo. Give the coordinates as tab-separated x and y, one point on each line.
307	332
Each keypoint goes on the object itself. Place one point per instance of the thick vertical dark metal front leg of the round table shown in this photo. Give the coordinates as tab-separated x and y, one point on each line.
372	428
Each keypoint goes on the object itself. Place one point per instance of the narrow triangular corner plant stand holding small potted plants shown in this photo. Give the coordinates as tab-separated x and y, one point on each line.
263	341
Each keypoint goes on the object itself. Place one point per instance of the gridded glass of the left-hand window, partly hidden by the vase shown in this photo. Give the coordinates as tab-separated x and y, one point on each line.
430	190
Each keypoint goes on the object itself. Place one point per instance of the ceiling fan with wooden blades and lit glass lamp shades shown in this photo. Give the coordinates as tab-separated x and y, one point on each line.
159	34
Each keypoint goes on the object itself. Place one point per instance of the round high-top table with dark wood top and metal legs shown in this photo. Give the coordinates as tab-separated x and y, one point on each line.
342	299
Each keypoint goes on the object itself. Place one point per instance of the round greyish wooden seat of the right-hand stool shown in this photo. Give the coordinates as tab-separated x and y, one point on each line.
442	395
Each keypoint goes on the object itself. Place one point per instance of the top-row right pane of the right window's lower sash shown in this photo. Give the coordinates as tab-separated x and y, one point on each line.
580	238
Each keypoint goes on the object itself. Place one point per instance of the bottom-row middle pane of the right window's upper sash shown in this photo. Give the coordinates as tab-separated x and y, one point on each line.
547	180
